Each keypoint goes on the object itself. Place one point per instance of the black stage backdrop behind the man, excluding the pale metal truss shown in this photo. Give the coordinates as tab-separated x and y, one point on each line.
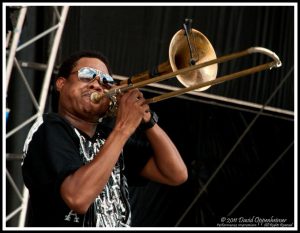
135	39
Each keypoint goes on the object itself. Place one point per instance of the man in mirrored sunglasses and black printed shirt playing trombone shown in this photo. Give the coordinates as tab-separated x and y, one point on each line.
76	169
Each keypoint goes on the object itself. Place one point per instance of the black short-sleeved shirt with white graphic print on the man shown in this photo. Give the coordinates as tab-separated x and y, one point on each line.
53	150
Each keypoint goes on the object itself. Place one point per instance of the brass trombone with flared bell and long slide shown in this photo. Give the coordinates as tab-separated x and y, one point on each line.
195	66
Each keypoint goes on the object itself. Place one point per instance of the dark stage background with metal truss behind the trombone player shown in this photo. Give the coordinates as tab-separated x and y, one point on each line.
236	138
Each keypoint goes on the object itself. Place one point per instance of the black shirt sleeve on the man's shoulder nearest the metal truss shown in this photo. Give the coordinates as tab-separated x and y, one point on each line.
53	154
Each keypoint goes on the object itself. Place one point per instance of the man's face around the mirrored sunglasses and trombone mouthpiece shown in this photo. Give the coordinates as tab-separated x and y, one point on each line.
75	94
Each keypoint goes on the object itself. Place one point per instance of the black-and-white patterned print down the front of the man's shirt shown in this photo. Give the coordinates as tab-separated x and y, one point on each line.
110	208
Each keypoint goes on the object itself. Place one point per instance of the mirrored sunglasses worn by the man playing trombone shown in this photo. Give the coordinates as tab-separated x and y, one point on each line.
87	74
